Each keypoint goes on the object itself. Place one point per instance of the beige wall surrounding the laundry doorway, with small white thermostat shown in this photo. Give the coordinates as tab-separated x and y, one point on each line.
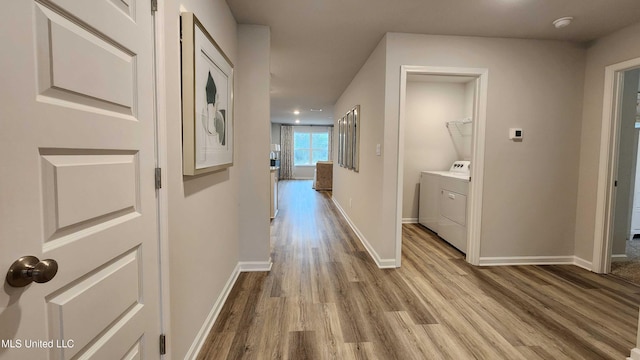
529	195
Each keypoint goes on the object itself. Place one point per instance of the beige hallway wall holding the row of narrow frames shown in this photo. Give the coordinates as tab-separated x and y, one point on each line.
358	193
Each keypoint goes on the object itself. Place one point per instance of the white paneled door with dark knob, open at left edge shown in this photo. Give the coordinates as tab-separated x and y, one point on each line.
77	158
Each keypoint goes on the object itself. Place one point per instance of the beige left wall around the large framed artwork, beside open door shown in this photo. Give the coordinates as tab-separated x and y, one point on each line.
202	210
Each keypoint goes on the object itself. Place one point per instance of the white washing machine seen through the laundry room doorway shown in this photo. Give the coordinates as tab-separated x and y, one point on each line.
443	203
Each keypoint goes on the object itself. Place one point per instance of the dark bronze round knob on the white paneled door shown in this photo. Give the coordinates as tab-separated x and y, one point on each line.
29	268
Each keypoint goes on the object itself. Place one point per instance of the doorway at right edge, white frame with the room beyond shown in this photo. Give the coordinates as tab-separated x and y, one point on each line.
616	199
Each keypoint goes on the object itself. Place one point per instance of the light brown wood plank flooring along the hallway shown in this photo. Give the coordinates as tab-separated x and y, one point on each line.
326	299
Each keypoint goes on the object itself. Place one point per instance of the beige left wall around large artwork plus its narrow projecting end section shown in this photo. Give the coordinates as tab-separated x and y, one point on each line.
203	211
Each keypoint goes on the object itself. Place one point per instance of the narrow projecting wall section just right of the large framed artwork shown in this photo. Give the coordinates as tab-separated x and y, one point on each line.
253	129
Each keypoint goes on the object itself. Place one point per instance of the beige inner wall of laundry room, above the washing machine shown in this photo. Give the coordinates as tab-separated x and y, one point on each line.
428	144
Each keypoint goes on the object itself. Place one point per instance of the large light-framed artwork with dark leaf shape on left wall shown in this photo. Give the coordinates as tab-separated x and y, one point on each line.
207	101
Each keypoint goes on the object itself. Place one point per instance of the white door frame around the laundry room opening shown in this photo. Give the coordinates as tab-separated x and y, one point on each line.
477	156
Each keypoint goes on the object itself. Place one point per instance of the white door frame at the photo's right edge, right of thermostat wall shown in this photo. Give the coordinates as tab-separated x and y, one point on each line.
609	142
